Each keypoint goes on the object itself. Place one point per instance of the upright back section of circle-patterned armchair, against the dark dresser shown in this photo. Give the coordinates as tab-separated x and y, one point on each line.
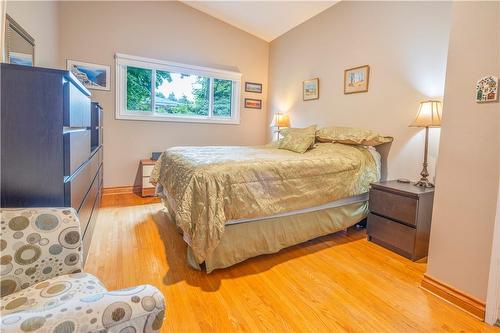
38	244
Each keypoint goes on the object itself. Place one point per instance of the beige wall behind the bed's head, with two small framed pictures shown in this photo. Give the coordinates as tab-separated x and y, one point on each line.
405	45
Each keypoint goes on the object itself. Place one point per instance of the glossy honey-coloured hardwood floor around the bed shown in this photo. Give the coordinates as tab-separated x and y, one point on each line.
338	283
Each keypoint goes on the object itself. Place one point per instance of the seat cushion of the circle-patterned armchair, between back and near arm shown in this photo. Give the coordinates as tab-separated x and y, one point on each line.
51	294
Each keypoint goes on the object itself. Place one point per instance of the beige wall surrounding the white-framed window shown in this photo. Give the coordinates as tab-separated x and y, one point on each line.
95	31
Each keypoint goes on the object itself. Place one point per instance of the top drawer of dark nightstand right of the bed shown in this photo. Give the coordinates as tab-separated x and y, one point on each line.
394	206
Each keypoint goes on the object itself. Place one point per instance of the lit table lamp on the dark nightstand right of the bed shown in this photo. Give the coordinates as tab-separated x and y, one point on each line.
428	115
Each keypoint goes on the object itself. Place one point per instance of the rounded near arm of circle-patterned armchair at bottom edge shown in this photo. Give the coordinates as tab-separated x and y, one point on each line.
137	309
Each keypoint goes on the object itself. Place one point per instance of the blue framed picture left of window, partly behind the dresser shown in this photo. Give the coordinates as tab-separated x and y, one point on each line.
92	76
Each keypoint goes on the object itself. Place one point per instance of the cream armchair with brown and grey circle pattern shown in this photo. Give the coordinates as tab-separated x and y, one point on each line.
44	290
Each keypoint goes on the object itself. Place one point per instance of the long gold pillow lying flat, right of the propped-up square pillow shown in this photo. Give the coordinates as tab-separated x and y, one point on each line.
351	136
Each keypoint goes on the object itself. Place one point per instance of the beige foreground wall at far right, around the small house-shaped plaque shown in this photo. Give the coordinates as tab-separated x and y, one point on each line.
468	167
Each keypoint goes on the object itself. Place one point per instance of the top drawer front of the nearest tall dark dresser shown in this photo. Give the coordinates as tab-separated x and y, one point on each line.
76	107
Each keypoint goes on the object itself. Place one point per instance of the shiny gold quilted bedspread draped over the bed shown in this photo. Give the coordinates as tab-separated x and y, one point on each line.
212	185
